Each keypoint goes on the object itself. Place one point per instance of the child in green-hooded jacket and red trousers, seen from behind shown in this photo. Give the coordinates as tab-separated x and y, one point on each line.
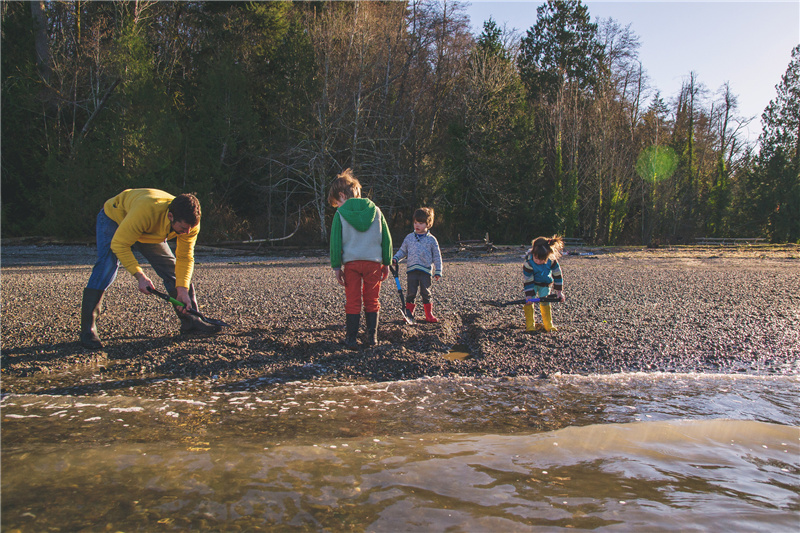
361	251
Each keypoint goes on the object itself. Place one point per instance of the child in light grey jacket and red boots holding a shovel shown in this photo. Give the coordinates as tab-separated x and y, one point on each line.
424	261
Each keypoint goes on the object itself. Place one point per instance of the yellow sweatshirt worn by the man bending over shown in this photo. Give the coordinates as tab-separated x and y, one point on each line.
142	216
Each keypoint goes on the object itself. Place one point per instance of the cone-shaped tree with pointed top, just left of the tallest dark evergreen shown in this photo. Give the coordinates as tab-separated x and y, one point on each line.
494	174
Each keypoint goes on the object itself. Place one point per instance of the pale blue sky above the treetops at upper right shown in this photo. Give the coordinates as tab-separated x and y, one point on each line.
746	43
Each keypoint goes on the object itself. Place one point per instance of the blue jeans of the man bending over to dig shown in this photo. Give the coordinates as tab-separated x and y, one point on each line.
105	269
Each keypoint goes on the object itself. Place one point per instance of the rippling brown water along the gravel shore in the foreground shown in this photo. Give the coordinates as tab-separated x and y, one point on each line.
631	452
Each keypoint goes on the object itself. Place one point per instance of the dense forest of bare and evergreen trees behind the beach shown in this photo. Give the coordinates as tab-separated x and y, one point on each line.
256	106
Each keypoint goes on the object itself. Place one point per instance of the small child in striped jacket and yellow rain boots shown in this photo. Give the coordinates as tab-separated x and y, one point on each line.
542	272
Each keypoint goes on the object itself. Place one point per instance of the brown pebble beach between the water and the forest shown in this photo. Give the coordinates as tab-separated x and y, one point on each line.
686	309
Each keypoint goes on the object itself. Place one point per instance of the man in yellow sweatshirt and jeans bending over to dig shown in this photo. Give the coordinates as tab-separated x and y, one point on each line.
144	220
